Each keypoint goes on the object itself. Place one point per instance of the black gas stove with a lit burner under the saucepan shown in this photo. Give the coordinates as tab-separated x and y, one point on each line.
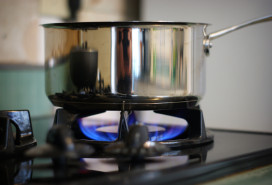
124	147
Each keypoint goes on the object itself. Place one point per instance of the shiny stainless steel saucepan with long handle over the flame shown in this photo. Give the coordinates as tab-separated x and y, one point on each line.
128	65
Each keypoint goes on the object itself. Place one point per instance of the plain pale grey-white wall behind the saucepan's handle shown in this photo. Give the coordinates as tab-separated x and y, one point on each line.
239	69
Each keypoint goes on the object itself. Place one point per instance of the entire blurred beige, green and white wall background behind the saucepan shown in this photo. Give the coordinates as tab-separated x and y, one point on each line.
239	68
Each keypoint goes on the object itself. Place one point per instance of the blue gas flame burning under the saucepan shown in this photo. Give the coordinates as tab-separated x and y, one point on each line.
164	131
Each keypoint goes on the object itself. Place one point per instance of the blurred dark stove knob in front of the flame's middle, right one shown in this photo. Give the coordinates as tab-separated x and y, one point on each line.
137	145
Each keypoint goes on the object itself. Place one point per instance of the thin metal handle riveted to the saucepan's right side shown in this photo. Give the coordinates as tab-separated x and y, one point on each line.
208	37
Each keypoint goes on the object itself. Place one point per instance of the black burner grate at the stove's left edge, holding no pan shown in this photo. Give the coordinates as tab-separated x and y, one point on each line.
17	140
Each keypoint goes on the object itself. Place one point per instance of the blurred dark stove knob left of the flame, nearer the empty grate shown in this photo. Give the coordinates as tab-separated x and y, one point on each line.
60	144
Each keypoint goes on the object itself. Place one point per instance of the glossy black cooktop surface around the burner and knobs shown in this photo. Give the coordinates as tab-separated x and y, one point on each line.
231	152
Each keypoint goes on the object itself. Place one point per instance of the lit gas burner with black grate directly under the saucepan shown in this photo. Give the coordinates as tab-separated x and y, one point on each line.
99	134
